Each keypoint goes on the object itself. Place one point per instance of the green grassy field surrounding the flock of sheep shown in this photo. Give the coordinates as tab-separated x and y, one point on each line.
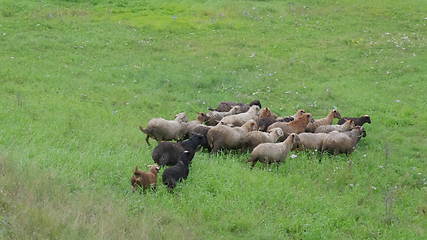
78	77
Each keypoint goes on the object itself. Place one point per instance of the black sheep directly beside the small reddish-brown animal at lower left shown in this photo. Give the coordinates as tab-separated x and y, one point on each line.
178	172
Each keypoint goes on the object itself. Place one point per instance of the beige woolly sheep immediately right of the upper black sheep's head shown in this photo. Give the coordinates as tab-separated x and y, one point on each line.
226	137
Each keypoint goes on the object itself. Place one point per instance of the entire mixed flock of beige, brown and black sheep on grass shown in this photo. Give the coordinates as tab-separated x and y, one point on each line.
246	127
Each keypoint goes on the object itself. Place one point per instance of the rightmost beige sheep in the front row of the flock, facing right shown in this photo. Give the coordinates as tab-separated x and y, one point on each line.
343	142
